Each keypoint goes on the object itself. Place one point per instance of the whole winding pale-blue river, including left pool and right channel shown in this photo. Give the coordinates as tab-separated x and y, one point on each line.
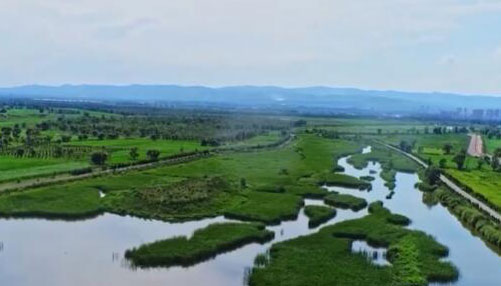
90	252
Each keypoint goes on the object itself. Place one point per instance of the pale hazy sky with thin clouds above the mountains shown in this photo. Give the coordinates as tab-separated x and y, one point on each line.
446	45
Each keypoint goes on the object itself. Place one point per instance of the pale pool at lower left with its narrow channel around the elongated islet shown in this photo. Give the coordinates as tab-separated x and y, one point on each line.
78	253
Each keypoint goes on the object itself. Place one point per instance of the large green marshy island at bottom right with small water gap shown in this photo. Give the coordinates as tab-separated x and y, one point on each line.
324	258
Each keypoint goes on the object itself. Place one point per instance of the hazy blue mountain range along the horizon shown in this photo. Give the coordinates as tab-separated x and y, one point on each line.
263	96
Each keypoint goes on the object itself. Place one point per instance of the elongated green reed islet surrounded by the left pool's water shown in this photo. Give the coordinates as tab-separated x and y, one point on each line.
204	244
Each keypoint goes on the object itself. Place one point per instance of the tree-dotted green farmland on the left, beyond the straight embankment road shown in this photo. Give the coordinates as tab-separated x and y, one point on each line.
71	136
